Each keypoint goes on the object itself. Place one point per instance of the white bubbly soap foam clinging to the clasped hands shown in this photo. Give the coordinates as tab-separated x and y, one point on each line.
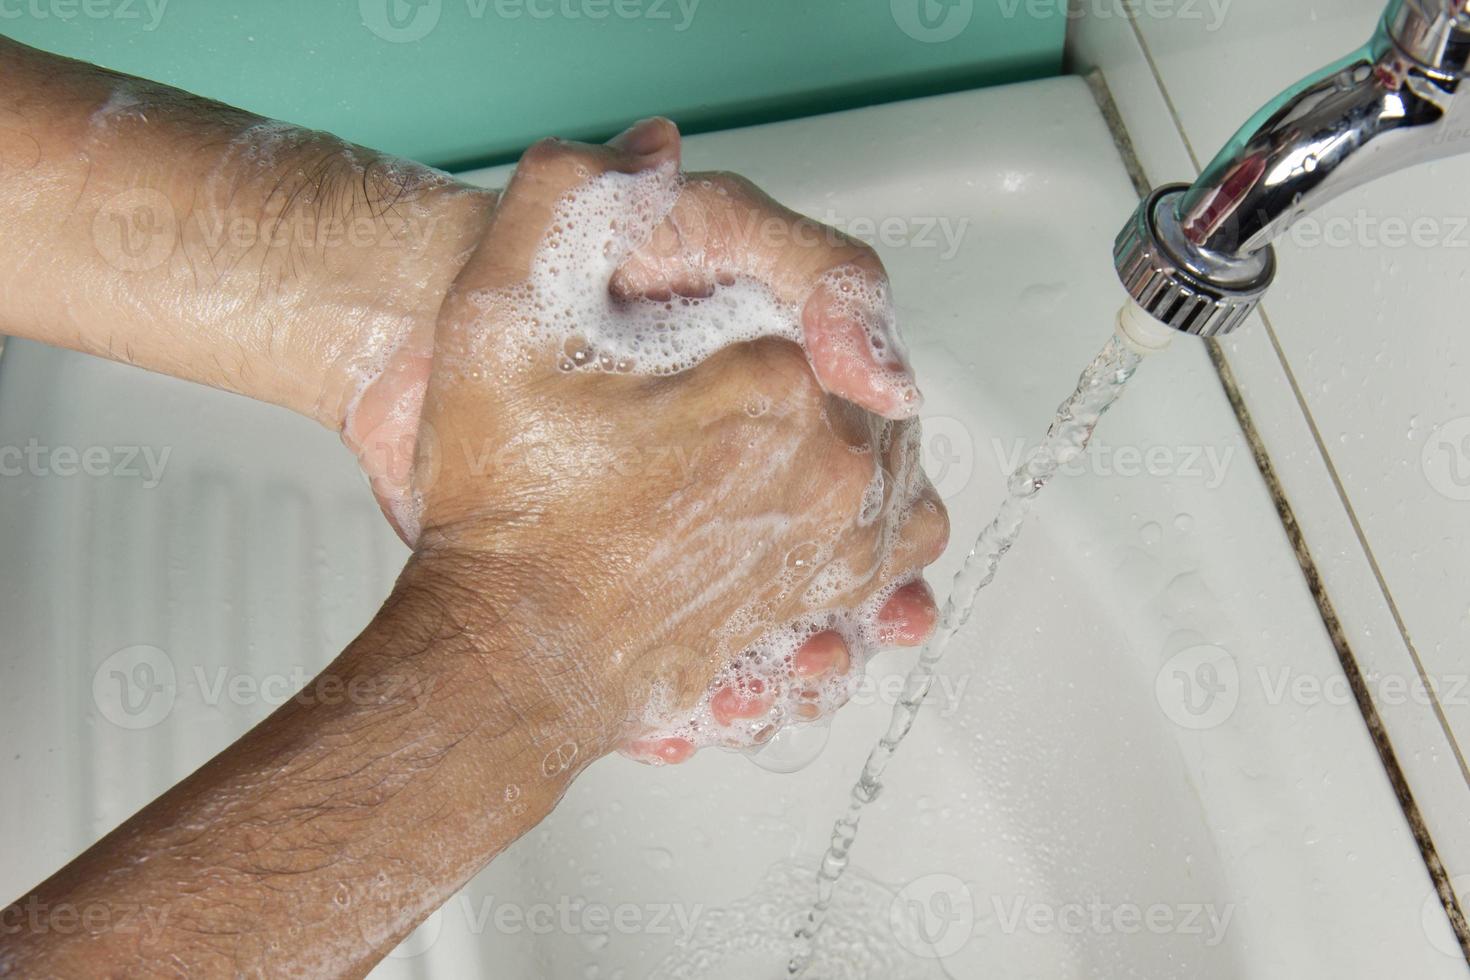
565	315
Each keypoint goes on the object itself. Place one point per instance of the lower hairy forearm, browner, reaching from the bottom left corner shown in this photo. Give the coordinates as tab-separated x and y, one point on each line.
327	834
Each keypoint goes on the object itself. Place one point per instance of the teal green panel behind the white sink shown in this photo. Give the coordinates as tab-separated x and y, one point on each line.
473	82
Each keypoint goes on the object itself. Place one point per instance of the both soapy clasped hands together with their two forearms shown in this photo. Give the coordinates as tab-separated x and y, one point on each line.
649	436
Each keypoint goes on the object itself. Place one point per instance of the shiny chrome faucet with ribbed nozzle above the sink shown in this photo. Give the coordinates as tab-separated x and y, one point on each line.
1199	258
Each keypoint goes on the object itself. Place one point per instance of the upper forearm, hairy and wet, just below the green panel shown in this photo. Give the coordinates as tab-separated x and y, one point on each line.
196	240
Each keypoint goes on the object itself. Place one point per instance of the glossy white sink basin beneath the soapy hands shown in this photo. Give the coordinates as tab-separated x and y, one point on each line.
1108	781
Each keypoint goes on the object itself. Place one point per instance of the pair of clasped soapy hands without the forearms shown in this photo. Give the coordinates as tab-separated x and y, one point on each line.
677	422
